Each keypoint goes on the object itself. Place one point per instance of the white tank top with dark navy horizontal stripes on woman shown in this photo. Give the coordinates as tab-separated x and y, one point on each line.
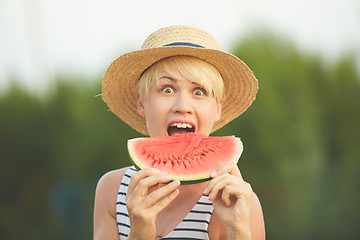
193	226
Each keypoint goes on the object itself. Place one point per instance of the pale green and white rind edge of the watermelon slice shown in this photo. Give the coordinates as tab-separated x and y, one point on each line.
186	180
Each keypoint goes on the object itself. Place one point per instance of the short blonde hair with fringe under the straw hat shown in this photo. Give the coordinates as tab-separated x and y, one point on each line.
191	68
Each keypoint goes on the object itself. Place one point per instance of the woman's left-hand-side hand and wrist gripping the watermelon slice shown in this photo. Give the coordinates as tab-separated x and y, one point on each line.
143	206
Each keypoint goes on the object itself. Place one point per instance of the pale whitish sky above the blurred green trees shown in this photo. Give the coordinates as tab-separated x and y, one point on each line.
40	39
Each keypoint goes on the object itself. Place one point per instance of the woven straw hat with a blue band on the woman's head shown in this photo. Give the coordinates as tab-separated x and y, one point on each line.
118	86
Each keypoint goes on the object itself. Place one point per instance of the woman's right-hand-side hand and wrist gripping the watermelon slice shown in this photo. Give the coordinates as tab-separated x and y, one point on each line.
231	197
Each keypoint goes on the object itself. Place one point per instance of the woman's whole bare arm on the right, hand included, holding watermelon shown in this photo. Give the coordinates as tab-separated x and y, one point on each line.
238	213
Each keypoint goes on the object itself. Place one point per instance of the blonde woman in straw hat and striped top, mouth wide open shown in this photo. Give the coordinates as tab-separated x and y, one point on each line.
179	82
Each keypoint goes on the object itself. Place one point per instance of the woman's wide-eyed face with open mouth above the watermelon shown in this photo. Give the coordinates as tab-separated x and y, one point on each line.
176	105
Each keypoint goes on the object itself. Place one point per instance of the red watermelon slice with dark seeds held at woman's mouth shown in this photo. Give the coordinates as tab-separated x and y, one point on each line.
189	157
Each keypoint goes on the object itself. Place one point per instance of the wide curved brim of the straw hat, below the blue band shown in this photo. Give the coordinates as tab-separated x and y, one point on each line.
119	81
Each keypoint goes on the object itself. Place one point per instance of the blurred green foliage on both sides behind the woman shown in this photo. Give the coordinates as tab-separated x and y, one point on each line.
301	148
